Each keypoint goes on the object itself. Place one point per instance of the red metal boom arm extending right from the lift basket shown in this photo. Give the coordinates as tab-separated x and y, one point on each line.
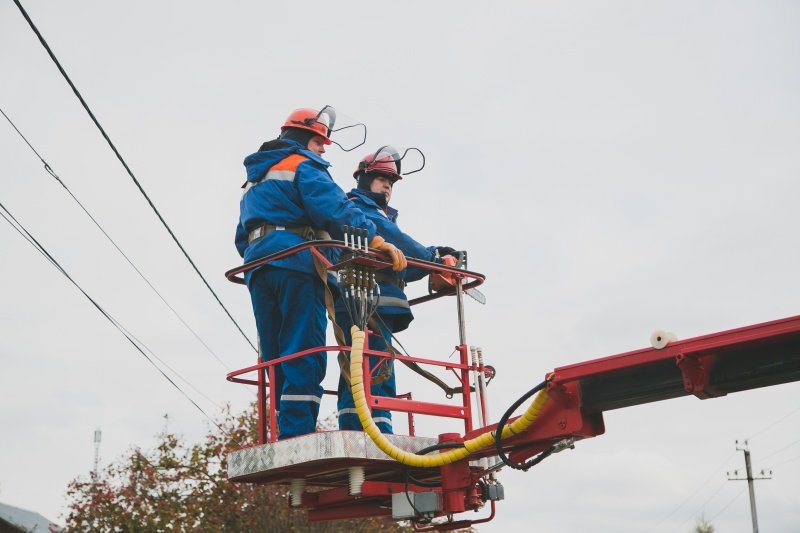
709	366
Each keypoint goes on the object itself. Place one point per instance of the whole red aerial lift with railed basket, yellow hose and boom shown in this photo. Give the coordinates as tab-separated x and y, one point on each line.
431	480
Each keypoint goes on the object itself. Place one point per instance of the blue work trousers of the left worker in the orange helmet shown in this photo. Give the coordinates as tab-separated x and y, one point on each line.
289	308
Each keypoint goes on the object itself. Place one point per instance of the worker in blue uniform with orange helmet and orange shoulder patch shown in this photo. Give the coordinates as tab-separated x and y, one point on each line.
289	197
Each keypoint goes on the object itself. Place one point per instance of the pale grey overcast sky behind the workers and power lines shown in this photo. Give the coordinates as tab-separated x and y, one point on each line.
612	167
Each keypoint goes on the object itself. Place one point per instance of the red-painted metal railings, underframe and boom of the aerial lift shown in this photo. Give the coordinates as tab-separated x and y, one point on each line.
707	367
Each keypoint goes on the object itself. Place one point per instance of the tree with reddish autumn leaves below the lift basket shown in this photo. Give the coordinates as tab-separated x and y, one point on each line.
183	487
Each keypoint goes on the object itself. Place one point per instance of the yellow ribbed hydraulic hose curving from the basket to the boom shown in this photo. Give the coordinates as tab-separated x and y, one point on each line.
424	461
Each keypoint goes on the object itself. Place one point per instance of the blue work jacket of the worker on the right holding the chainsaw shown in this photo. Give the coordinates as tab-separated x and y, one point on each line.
393	300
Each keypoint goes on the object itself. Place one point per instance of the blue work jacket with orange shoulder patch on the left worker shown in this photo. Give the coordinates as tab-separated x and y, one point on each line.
291	186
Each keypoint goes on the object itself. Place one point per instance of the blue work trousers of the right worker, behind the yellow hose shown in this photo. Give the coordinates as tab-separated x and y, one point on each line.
348	418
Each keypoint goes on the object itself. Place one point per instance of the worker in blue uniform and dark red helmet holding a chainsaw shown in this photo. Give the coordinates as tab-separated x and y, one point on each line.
376	175
